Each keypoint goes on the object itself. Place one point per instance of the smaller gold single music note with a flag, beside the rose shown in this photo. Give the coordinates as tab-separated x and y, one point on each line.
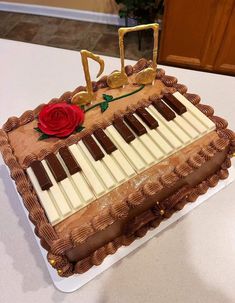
85	97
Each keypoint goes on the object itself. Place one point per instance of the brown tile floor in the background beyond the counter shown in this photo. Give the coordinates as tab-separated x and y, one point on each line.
70	34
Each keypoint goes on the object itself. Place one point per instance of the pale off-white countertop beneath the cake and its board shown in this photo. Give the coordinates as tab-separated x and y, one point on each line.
192	261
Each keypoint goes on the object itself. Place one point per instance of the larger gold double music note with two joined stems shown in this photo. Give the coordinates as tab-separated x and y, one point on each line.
146	76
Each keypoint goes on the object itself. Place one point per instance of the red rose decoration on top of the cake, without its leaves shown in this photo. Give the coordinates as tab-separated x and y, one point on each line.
60	119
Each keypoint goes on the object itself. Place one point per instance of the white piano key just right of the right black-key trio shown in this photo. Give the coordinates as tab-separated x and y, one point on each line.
163	130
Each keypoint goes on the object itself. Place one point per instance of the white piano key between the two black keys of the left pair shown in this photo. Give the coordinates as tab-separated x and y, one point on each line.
111	164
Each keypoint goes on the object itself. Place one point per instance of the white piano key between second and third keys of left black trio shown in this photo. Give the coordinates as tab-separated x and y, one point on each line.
69	187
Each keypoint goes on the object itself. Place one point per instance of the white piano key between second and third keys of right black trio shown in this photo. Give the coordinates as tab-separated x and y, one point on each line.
156	137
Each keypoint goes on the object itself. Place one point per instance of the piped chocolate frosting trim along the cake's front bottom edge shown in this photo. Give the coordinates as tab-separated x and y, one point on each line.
150	219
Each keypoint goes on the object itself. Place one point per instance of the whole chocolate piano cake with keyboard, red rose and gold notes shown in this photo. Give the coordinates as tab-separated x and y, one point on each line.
101	165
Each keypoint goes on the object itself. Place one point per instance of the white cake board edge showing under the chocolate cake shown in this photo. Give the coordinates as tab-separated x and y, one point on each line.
75	282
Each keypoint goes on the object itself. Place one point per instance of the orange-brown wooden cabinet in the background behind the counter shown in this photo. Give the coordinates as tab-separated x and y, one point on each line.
199	34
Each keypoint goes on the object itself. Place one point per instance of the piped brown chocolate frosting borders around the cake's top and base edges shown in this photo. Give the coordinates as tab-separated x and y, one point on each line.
56	246
